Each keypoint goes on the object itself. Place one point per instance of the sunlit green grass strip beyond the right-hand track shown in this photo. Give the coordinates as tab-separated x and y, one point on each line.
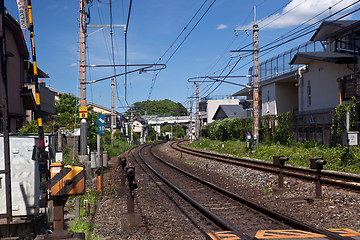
299	154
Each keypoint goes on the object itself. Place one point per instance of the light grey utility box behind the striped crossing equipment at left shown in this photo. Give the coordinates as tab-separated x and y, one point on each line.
25	177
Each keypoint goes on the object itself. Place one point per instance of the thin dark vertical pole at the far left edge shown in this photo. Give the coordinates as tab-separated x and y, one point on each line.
5	115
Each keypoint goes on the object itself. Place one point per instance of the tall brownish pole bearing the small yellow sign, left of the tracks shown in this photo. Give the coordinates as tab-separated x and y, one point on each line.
83	123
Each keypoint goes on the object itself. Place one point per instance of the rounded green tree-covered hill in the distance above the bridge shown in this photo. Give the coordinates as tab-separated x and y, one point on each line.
163	107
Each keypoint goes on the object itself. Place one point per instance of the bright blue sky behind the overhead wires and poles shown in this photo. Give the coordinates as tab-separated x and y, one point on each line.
153	27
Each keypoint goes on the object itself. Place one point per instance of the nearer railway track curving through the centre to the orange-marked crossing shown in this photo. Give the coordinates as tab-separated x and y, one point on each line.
228	211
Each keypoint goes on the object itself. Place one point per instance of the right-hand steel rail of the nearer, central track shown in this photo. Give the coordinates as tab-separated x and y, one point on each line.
268	212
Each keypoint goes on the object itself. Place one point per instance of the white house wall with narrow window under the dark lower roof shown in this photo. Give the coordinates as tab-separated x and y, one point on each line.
322	78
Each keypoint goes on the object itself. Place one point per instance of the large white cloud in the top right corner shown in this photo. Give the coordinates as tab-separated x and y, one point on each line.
300	11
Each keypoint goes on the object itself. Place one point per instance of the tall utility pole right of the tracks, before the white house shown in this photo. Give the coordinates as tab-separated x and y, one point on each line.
255	83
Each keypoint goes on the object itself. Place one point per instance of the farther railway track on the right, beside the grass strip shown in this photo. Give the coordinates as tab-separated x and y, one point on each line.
336	179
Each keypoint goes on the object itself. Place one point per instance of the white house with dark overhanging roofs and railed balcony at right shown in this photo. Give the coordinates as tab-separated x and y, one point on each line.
312	79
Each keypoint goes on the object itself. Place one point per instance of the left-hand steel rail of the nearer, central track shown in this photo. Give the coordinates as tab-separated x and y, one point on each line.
208	214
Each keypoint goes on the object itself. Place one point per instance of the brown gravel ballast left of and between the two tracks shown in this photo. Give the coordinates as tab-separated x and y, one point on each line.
158	217
